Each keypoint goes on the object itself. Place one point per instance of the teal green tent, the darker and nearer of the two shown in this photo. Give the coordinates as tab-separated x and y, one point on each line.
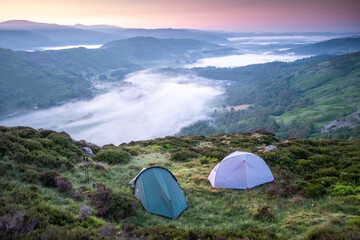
159	192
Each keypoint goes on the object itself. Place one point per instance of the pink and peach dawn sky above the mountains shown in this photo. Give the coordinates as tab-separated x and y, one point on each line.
225	15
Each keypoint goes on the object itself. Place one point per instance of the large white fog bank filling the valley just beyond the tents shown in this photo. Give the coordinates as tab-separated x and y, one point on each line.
150	104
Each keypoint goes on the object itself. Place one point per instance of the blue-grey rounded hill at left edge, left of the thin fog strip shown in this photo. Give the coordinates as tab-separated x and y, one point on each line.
18	40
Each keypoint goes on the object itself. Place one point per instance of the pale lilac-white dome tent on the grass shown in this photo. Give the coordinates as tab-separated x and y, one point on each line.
240	170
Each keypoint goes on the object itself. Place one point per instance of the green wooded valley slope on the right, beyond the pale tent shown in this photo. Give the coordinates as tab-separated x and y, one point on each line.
290	99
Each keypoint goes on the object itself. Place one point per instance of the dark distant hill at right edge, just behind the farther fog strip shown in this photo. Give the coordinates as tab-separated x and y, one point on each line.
334	46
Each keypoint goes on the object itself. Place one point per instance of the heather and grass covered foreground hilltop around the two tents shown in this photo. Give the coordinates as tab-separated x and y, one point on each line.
44	194
